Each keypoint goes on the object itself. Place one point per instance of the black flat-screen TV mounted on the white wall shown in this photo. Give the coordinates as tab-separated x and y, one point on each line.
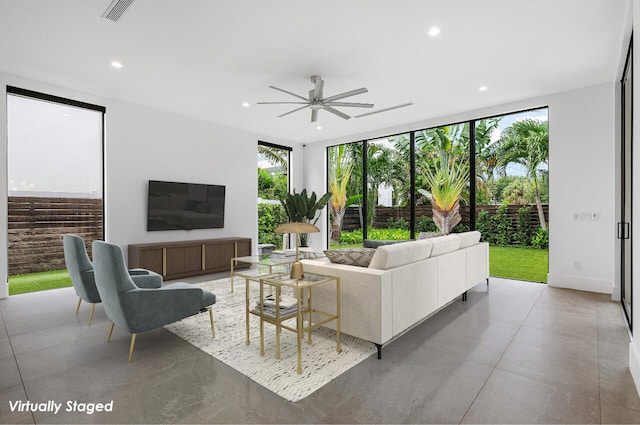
184	206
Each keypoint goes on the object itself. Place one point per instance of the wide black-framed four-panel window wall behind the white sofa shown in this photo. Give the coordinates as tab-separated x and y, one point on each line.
421	184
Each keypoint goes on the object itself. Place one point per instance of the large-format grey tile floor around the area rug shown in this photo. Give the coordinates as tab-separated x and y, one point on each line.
515	352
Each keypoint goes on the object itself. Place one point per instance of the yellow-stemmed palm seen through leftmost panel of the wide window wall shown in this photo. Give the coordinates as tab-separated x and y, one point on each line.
340	168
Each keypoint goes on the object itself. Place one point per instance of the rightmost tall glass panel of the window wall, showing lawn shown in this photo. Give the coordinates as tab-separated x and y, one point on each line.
512	192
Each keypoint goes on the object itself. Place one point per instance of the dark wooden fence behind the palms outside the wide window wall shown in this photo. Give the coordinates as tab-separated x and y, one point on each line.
383	214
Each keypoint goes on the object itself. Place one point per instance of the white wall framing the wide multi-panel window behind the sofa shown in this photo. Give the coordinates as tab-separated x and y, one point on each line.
582	179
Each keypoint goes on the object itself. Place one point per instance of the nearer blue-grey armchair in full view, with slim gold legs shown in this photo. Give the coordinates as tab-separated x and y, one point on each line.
137	309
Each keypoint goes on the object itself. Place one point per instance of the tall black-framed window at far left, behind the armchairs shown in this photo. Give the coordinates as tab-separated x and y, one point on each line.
55	184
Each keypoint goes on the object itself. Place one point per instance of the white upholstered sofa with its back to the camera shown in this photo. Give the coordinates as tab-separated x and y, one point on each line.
404	284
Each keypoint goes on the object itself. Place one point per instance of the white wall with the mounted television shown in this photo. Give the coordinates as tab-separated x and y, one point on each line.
143	144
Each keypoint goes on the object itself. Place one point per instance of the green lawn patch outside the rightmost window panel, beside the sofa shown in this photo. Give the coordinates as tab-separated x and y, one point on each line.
519	263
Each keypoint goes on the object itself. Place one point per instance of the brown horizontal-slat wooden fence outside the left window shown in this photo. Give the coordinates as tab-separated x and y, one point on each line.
36	226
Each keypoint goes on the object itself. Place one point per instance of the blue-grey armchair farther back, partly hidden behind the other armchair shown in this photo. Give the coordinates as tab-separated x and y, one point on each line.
82	275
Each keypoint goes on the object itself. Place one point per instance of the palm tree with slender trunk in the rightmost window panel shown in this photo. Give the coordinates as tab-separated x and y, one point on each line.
526	142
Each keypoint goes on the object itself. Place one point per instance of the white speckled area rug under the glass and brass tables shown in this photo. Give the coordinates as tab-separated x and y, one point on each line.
320	361
